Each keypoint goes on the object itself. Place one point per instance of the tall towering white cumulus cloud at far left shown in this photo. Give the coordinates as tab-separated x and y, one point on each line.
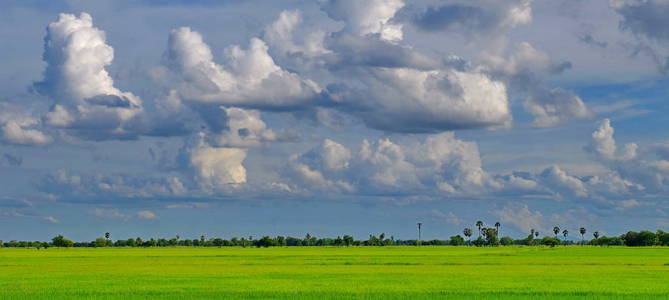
83	92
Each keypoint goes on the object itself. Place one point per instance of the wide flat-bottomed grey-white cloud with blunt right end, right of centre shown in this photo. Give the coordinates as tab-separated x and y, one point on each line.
409	100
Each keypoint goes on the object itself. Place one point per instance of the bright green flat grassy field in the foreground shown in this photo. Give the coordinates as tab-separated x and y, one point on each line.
336	273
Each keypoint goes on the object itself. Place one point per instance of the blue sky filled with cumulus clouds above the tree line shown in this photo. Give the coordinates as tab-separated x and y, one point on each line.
331	117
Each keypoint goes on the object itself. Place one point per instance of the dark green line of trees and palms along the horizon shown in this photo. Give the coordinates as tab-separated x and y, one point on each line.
487	236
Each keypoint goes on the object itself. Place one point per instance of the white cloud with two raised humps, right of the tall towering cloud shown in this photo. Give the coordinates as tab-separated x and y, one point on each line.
248	78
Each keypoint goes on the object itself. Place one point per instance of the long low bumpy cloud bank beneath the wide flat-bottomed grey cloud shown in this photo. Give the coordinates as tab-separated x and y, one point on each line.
440	164
